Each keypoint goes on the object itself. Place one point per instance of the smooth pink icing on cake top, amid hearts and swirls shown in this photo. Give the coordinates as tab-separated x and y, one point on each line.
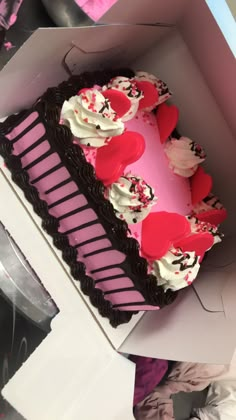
173	191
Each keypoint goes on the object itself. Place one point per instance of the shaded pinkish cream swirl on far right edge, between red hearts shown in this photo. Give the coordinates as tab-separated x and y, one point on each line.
184	156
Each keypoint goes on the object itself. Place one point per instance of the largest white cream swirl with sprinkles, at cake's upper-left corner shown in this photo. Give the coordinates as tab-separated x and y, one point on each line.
91	118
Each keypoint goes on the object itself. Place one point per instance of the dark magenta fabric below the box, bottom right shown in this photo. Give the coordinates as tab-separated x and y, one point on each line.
149	373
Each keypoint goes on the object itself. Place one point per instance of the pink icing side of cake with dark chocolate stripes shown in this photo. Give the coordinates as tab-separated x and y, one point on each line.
107	257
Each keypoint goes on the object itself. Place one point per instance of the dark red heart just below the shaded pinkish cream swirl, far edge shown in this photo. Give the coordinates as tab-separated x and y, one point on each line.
201	185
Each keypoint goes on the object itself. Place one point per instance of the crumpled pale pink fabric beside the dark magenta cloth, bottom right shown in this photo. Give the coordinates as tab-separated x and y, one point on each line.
186	377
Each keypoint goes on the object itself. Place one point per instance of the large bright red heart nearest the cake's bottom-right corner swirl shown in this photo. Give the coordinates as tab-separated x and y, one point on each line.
159	232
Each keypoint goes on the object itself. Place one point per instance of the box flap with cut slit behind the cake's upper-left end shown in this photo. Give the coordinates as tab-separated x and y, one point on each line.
38	64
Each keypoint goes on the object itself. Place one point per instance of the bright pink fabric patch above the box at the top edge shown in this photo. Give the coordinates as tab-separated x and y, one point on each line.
95	9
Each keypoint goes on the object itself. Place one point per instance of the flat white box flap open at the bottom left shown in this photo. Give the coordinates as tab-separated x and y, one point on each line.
74	373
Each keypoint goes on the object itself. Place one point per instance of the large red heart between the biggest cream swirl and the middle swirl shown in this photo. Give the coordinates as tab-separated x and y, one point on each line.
112	159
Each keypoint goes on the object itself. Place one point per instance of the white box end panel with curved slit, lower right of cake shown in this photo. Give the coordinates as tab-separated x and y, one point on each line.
190	328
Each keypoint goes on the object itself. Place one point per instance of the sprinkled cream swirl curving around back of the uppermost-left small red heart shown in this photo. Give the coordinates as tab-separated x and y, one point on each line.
127	87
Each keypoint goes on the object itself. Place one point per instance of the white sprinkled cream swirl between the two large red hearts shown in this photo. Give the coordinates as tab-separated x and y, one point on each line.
132	198
